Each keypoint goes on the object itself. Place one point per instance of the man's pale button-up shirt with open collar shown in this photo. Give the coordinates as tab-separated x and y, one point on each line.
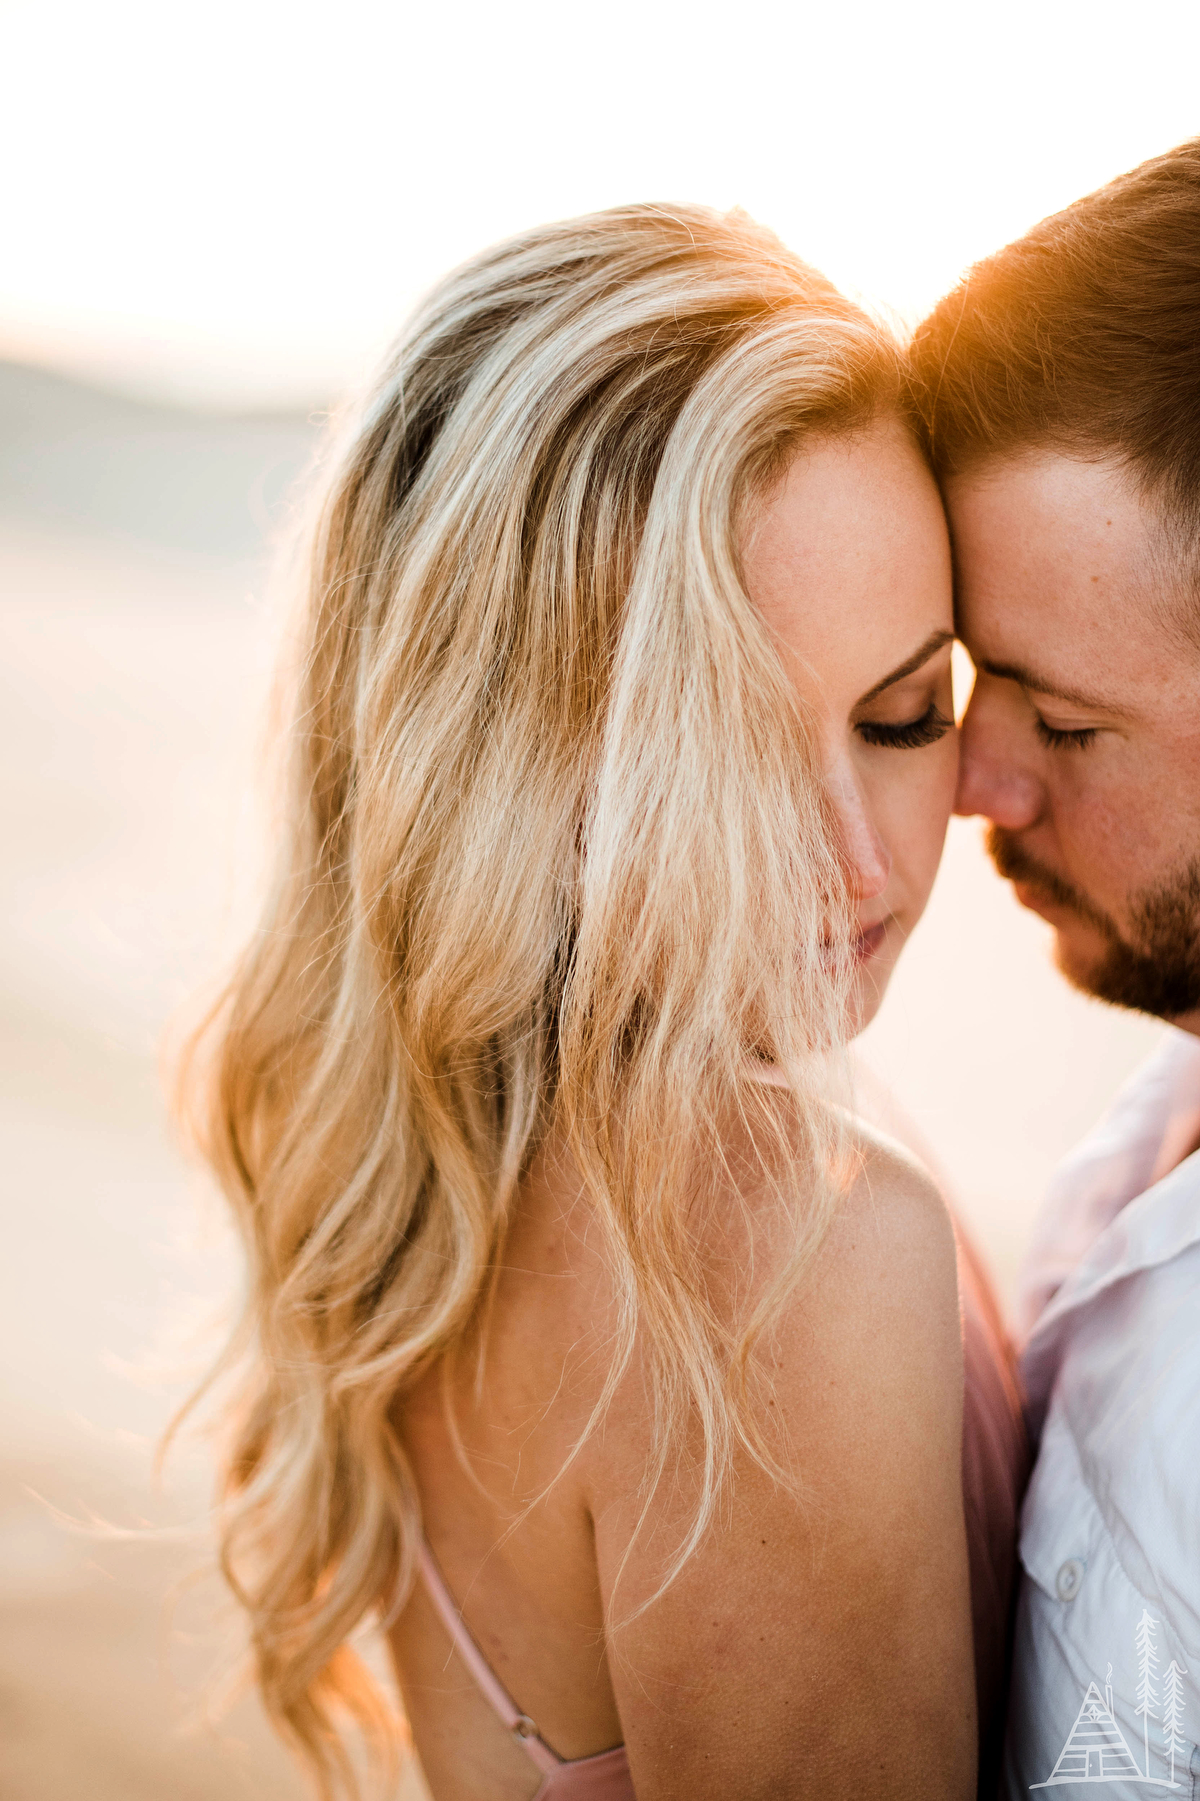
1107	1660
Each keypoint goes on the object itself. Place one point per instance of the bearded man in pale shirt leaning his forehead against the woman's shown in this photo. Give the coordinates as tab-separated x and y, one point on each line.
1062	392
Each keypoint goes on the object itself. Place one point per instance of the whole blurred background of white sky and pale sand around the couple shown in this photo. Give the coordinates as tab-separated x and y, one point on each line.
215	221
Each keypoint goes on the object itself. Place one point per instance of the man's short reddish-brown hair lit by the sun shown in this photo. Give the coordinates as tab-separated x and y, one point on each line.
1082	338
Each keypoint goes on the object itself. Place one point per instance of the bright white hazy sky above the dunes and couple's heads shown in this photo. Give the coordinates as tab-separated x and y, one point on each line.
241	201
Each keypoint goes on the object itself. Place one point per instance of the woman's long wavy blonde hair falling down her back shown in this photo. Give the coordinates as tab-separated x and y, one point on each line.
556	858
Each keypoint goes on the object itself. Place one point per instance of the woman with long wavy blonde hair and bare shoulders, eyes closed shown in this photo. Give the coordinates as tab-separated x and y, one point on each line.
592	1344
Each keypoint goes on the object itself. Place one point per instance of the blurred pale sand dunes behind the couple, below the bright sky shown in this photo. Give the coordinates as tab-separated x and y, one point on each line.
132	653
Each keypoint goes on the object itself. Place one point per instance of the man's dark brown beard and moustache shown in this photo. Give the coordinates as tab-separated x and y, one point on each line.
1158	968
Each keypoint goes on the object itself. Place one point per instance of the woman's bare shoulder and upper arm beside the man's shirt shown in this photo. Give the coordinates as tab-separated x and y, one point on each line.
846	1584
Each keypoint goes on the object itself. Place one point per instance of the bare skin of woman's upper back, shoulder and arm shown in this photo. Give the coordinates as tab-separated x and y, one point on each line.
797	1615
